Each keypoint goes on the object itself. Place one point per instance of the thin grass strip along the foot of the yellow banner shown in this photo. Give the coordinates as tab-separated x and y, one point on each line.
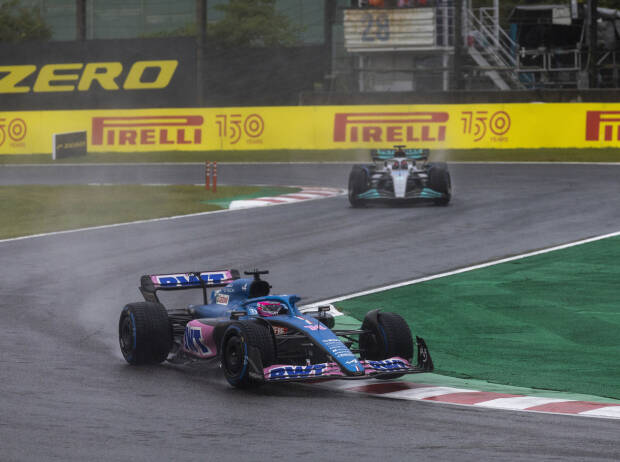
342	155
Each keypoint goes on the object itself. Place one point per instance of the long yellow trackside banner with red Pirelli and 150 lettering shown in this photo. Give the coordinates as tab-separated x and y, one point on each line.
486	126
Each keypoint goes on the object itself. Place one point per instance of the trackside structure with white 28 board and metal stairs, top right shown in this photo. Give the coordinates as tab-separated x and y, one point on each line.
447	44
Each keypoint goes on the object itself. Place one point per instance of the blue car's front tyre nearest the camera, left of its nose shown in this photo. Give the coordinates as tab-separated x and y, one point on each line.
243	343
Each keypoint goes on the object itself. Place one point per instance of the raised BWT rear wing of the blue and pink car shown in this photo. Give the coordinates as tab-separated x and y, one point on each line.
151	283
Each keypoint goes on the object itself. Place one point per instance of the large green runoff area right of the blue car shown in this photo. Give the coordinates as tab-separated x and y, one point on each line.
550	321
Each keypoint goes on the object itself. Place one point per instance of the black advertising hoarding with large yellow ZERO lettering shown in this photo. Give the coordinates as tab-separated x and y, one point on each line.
98	74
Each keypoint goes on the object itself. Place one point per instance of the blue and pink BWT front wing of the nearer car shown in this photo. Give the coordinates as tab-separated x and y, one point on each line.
331	370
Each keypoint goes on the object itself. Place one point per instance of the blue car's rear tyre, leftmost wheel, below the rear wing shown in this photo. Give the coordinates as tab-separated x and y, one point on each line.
144	333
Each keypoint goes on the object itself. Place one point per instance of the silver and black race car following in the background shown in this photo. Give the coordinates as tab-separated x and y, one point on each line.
402	175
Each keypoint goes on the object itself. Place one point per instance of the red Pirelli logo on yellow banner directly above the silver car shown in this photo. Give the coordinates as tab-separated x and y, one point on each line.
389	127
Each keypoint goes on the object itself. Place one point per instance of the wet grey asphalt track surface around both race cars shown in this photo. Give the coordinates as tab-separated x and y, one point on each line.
68	395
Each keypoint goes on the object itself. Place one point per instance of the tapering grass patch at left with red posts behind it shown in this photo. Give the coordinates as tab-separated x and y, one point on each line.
45	209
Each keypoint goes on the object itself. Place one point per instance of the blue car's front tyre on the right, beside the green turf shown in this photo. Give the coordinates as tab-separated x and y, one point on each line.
388	336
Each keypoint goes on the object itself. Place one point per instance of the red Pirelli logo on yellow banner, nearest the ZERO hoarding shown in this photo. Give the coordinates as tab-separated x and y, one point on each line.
148	130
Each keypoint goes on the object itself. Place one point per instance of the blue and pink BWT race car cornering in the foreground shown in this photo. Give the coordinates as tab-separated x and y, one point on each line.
259	338
